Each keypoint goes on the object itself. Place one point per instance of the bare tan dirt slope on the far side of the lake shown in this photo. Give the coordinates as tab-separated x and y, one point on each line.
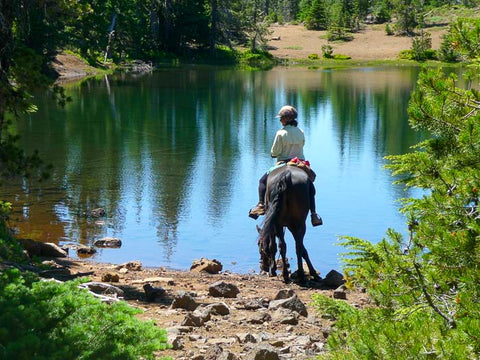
371	43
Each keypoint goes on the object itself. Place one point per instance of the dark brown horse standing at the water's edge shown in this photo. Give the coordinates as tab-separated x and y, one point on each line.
287	205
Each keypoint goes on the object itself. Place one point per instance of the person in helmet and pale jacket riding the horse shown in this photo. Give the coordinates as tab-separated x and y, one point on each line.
288	144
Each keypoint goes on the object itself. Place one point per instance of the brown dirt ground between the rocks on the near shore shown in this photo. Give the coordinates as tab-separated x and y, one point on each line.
237	332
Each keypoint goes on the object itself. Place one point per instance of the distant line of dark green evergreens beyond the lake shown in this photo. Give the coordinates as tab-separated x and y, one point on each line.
152	29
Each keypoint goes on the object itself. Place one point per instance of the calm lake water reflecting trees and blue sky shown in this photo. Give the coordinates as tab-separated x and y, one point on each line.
174	157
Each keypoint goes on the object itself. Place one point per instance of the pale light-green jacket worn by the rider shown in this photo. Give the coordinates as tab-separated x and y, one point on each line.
288	143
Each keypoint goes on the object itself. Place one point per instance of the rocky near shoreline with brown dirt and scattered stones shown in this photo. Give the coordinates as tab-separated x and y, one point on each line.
209	314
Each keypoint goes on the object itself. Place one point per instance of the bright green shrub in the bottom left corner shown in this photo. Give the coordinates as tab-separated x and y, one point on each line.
46	320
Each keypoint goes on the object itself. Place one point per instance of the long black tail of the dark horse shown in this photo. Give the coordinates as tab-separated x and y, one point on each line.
266	240
